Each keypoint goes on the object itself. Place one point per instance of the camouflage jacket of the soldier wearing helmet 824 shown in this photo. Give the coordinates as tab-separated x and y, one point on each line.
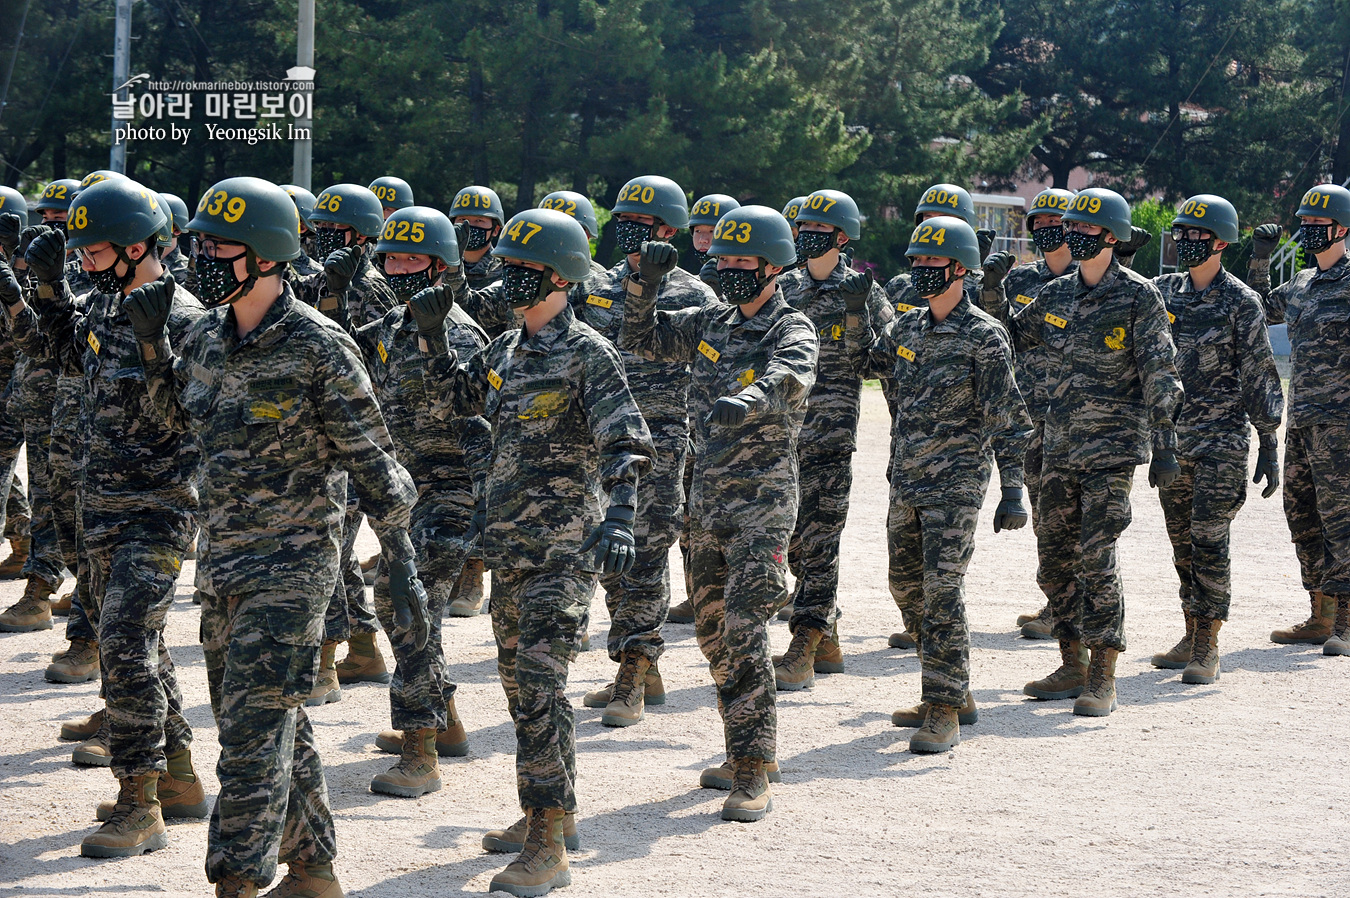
959	406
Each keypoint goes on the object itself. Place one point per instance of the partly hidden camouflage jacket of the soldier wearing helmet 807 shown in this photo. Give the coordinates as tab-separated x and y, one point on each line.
832	413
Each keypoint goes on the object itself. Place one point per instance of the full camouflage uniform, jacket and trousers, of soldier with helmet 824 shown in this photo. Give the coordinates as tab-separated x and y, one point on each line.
959	411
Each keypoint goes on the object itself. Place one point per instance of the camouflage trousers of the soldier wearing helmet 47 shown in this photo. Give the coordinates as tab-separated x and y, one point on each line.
538	623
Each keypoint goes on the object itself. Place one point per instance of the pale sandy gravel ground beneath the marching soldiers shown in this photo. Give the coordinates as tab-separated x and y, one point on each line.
1235	789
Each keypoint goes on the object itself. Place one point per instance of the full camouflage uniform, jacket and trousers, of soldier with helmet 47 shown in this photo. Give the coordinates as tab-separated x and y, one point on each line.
565	427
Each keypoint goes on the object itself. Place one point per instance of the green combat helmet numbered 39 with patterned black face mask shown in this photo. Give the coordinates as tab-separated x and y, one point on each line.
250	211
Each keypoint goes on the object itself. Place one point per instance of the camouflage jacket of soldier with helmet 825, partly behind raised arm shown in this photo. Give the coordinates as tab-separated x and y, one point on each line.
448	460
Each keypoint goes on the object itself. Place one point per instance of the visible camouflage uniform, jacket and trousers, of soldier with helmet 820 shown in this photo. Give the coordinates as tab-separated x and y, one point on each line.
639	600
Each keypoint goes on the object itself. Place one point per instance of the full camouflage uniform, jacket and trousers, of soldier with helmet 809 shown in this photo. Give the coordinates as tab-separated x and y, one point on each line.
1112	381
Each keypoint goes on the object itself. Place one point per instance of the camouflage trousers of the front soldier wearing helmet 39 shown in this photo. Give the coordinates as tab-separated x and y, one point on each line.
273	803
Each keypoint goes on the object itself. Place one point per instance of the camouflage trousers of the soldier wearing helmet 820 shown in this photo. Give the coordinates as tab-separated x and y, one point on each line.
639	600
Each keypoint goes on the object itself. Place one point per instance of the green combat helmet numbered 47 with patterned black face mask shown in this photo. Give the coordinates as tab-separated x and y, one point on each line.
549	238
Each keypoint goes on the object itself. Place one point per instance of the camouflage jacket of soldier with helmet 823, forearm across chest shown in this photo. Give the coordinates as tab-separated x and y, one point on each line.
745	476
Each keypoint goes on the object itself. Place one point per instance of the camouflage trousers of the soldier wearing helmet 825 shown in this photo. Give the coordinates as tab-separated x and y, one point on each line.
422	687
